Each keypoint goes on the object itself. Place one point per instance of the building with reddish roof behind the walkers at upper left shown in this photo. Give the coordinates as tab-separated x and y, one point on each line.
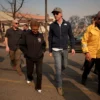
5	19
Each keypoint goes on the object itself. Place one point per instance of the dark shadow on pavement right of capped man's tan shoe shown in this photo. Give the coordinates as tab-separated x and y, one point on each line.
71	92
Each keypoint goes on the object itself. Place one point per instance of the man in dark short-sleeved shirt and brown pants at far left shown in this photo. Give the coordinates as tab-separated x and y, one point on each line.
12	38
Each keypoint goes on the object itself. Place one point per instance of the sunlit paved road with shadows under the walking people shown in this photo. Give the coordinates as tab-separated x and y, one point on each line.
14	87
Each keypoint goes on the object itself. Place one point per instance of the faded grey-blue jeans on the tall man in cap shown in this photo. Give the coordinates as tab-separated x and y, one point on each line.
61	62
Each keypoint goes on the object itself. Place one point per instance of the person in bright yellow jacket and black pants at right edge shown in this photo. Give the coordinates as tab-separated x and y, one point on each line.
91	49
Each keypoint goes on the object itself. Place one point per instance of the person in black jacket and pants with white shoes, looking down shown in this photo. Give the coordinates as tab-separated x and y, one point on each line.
33	46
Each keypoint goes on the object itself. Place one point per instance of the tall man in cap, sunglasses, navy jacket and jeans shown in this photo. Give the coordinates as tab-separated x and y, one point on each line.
60	32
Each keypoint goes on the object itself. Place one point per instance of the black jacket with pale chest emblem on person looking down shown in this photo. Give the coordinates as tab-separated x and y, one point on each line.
32	45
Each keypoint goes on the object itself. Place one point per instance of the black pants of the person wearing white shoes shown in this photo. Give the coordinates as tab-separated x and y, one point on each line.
30	68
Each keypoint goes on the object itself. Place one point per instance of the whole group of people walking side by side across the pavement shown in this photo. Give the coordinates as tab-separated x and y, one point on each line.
33	46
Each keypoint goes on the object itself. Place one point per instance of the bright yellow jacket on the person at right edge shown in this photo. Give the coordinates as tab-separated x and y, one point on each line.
91	41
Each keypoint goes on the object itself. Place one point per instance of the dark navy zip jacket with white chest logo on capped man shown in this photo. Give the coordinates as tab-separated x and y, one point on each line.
59	36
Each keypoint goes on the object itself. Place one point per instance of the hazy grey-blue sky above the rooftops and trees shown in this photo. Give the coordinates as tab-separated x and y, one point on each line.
69	7
